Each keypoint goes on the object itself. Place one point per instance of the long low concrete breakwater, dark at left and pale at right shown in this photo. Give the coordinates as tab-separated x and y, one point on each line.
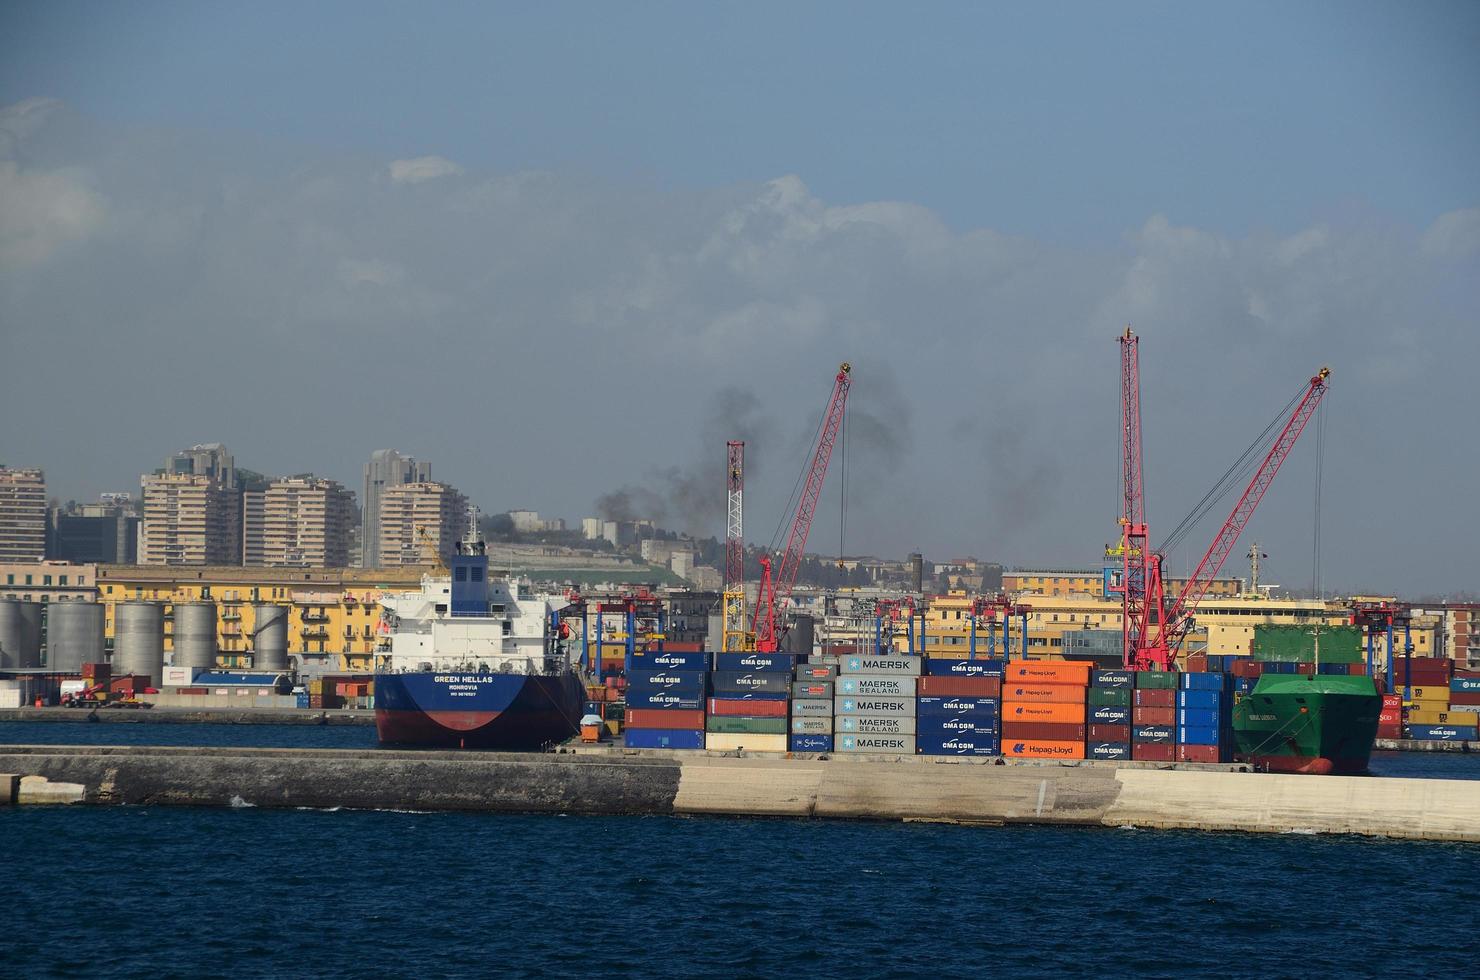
834	788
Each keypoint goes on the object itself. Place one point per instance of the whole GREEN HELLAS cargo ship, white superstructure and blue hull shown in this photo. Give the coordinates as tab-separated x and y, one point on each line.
476	664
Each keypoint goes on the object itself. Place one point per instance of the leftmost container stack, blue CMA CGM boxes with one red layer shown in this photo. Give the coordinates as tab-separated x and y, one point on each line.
667	701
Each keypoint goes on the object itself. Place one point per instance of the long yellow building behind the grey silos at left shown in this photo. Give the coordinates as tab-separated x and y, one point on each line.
334	612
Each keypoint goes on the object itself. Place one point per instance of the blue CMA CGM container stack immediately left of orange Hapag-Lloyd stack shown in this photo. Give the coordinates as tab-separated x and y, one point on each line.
958	710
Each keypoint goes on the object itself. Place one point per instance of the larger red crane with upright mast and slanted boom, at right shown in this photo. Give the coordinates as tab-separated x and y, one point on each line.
1154	633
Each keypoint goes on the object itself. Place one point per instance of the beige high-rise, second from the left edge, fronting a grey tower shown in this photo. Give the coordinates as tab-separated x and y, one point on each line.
190	520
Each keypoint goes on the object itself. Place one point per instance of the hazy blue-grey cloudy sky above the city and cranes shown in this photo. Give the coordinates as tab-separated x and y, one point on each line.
566	251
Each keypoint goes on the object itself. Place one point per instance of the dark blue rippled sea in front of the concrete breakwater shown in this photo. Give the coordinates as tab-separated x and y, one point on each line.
258	893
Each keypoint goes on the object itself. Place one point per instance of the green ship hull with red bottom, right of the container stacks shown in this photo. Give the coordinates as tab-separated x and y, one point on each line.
1321	725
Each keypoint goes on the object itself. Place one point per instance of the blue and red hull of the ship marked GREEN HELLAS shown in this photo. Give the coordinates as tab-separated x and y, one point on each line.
477	711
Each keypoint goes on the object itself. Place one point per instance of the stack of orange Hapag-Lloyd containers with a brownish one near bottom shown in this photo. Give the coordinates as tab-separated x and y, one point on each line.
1044	710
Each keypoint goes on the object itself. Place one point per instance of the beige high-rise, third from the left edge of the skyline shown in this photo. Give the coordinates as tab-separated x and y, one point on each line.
300	522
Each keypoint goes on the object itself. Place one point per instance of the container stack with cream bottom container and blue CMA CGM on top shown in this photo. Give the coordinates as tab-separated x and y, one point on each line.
750	702
